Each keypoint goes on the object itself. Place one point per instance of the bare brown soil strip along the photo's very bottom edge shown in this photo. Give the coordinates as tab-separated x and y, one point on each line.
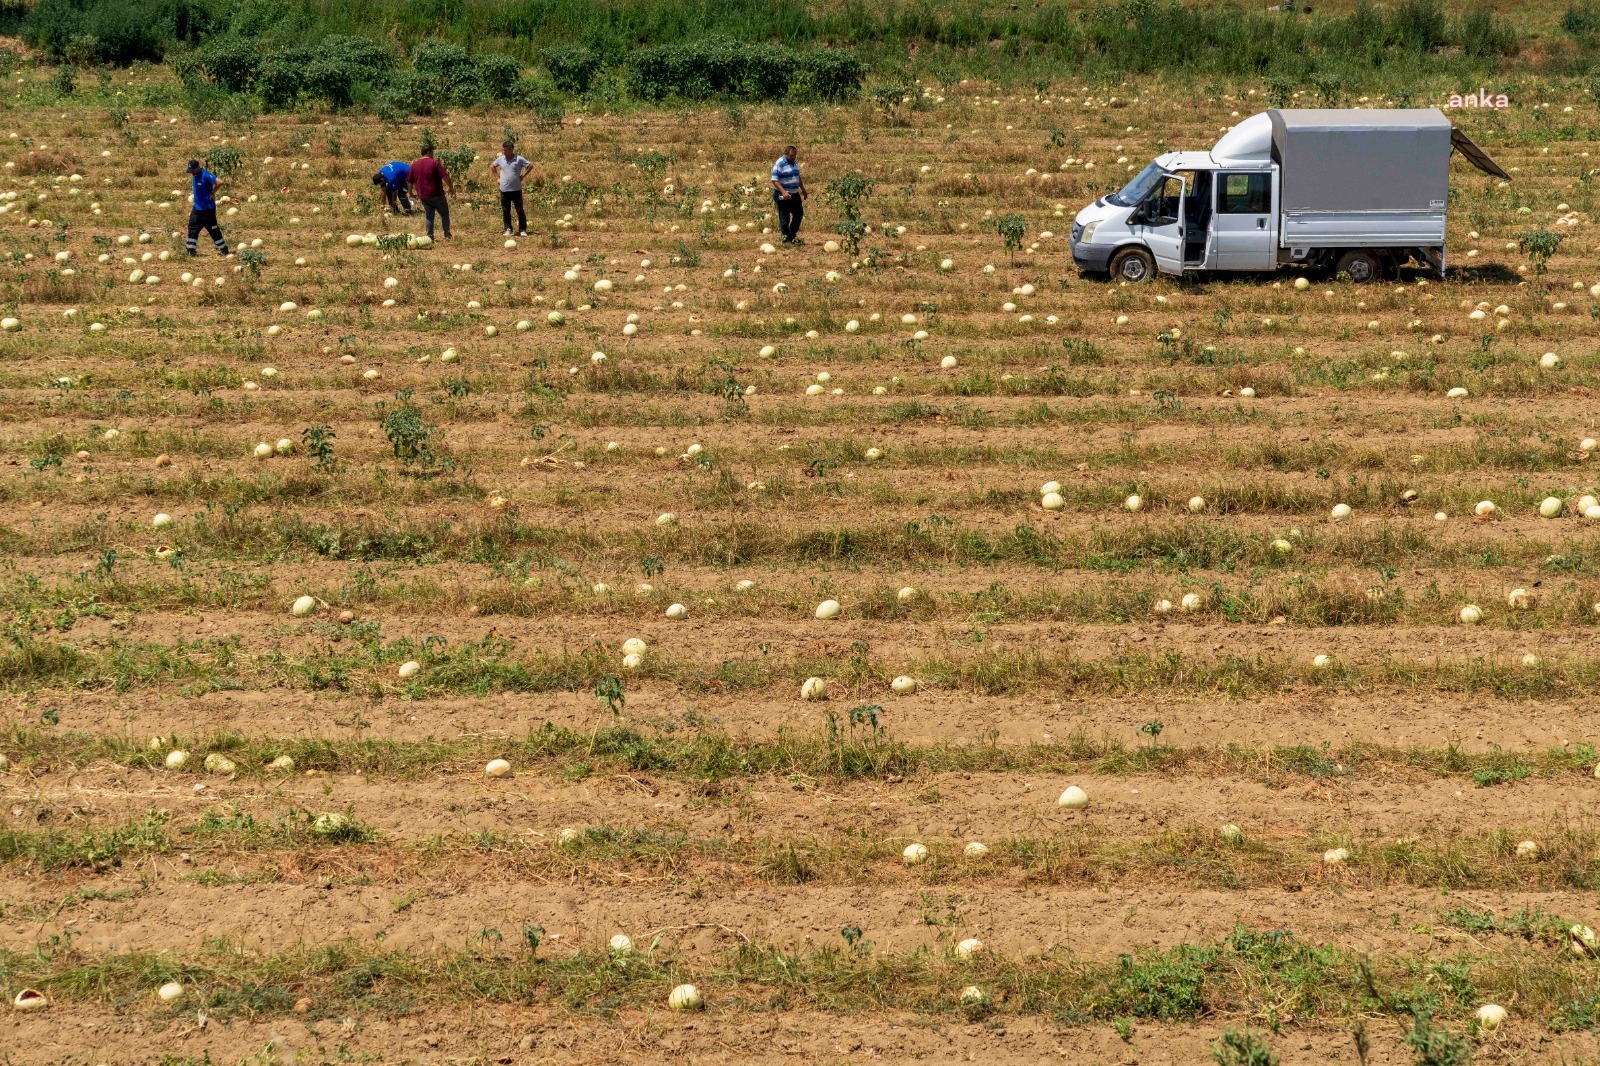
526	1036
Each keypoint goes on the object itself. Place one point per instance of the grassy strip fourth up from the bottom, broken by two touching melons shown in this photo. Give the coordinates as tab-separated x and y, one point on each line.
362	663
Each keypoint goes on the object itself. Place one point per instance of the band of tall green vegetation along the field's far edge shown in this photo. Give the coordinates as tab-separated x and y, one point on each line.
1116	36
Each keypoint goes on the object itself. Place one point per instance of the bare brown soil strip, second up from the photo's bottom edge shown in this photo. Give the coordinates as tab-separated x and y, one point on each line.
180	905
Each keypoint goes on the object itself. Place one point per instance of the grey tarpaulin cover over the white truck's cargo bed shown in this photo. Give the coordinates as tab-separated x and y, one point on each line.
1353	161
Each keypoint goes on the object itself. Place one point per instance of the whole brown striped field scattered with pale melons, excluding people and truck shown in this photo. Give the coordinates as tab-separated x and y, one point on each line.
449	654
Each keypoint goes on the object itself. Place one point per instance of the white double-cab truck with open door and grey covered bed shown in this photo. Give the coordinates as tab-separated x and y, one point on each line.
1346	190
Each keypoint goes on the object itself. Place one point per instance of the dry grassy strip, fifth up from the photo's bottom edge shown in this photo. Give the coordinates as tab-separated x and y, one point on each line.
1346	598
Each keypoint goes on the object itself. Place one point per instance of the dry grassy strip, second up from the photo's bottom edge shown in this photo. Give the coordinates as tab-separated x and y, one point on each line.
1081	854
